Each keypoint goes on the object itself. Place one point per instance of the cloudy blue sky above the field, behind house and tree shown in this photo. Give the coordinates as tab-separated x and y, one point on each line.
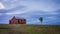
31	10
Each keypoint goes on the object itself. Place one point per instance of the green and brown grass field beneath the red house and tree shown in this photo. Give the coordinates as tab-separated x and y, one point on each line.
29	29
